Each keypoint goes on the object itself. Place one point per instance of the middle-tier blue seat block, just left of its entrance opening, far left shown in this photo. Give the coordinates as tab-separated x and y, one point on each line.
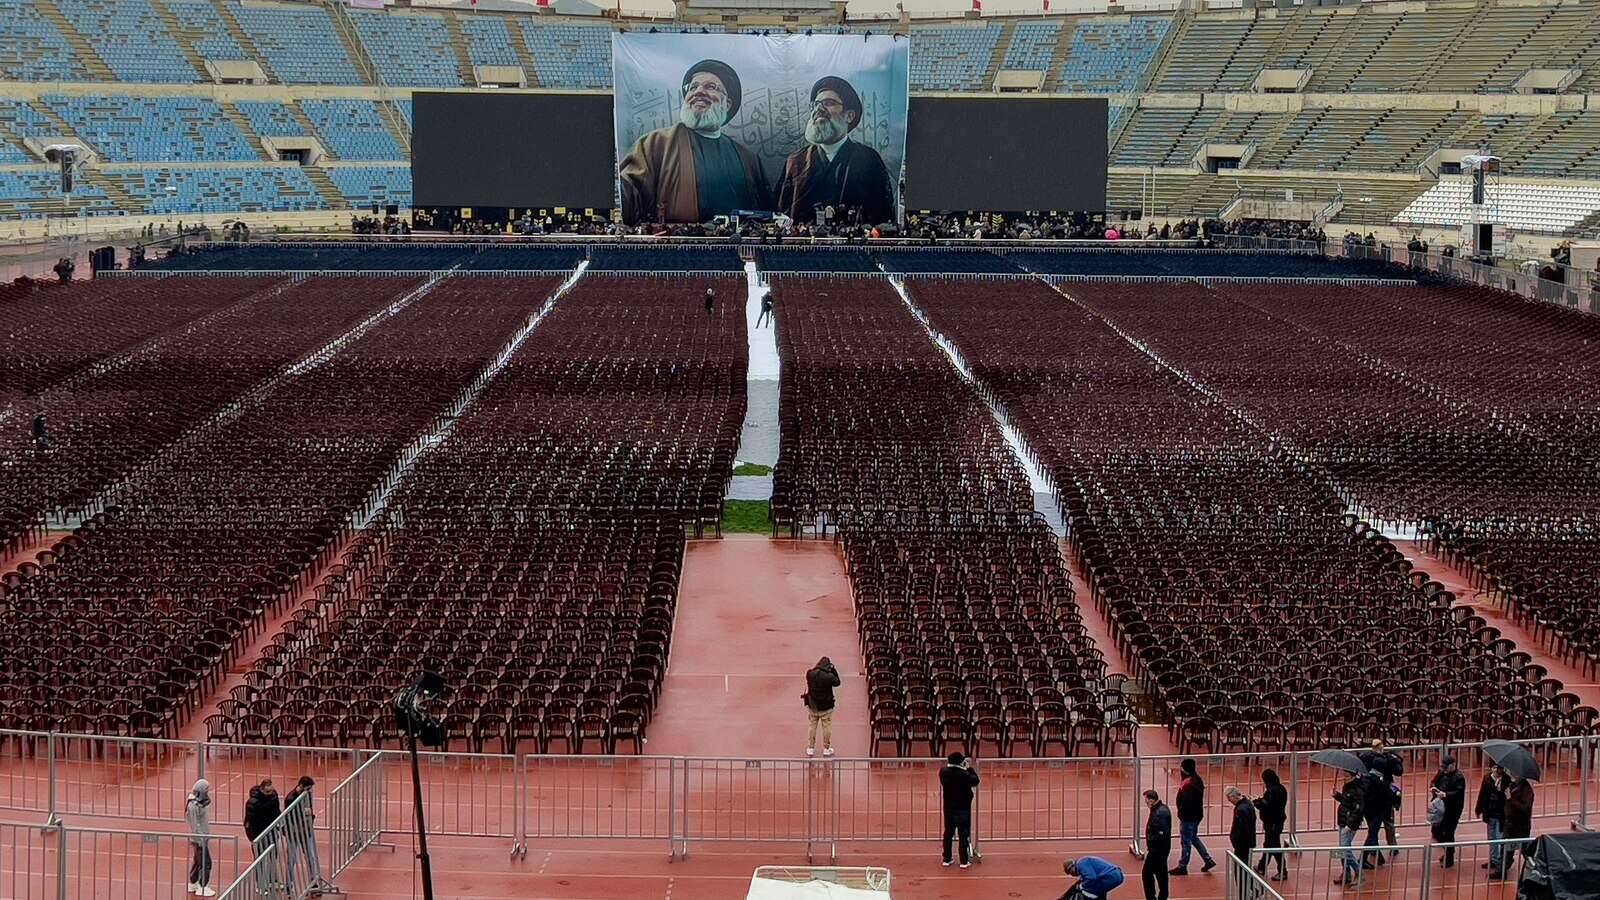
154	129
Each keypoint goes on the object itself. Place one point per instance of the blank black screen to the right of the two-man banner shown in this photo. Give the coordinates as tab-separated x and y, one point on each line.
1007	155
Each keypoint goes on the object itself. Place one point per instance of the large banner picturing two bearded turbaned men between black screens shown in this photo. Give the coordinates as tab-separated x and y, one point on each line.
719	124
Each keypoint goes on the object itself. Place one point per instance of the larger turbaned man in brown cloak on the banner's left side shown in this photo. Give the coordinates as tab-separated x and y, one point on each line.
692	172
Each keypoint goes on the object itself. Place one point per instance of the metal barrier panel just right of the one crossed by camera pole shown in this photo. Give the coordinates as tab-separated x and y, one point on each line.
601	797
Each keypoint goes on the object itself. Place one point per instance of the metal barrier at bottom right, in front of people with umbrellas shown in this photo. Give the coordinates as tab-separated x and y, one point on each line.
1409	870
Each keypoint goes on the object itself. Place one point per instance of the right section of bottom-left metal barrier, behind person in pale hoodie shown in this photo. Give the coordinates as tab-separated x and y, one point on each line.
140	866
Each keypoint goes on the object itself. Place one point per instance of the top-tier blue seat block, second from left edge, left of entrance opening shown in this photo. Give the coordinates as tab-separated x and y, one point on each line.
132	39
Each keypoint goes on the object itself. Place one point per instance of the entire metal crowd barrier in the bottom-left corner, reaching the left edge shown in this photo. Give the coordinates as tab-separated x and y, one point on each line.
54	862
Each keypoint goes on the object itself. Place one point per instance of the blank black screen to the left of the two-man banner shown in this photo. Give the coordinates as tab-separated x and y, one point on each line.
513	150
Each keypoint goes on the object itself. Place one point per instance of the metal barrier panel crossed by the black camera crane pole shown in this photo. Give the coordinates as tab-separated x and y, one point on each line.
471	795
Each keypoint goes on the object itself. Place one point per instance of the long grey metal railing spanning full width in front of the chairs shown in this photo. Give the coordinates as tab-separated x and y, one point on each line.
684	802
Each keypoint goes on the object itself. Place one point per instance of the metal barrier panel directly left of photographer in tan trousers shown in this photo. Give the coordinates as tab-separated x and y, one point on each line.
754	800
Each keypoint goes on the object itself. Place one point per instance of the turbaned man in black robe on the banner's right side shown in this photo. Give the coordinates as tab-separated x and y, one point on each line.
831	169
